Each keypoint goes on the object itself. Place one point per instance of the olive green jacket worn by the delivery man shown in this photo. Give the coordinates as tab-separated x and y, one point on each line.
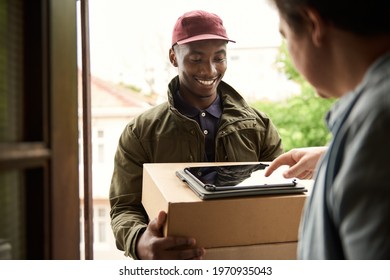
163	135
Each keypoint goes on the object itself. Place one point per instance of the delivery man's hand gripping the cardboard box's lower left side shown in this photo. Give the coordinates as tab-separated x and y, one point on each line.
152	245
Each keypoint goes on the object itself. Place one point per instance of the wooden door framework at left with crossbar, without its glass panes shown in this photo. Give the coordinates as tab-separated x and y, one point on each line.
47	152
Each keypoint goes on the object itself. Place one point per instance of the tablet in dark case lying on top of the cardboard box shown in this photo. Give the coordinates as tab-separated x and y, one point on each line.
220	181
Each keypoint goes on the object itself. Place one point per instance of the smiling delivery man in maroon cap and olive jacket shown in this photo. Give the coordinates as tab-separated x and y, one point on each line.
204	119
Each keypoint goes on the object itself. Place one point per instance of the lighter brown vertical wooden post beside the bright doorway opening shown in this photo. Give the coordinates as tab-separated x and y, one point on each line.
64	179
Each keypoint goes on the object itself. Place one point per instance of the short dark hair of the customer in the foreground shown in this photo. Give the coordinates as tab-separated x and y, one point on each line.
363	17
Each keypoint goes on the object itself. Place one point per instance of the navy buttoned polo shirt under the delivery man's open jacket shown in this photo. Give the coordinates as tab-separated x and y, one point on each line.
207	119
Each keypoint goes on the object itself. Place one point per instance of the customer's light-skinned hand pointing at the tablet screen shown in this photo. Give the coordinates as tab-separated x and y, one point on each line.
302	162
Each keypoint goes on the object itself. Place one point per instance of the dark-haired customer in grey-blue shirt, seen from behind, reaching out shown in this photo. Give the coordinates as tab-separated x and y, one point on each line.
343	49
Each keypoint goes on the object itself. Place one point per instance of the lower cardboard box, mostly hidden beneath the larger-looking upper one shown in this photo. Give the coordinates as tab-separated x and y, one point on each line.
271	251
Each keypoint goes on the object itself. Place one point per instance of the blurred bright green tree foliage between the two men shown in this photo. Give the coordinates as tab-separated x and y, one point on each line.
300	119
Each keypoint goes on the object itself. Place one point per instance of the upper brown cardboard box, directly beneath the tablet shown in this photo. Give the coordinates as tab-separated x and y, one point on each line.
222	222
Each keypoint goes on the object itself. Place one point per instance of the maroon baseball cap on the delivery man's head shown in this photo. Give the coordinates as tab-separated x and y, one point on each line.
198	25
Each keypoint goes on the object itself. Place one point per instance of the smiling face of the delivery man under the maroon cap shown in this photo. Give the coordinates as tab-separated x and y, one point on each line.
201	67
